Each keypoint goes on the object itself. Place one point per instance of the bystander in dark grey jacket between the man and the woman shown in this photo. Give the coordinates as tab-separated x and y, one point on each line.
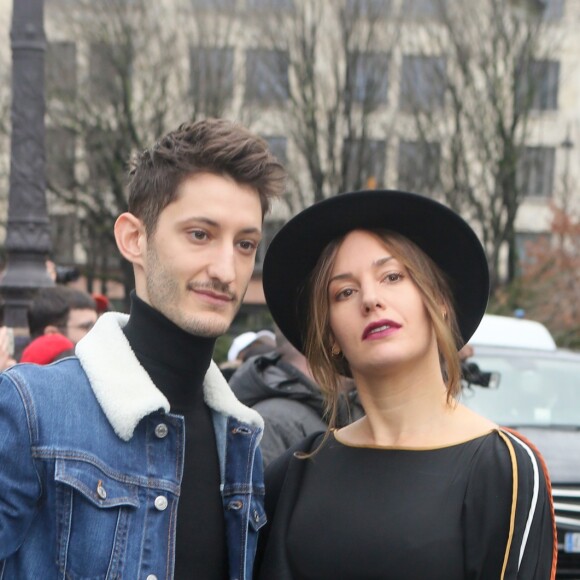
280	386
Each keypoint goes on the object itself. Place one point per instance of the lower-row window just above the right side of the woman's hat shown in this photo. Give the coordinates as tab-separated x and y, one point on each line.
418	166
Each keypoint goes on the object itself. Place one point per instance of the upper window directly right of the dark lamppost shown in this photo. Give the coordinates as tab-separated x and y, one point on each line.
61	70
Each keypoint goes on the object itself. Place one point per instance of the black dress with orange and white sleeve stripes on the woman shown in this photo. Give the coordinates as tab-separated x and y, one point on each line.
478	509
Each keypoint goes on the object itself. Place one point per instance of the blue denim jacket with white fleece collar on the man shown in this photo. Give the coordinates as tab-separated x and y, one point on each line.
91	462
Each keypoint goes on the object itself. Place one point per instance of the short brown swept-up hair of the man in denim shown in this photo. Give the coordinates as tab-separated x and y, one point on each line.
214	146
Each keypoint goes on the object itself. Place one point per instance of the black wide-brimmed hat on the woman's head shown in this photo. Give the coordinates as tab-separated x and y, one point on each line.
441	233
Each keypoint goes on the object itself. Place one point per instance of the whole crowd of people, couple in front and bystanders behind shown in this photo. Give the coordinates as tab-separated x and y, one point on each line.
133	455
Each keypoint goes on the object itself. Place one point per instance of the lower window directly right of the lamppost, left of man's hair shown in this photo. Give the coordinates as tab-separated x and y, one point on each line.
60	158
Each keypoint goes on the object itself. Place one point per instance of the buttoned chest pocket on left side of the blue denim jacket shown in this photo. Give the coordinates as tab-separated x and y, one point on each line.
93	516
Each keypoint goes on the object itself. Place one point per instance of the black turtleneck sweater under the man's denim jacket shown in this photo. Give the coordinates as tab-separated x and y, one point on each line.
177	362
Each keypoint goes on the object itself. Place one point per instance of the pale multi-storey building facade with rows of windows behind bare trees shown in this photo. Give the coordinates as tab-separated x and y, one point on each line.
350	94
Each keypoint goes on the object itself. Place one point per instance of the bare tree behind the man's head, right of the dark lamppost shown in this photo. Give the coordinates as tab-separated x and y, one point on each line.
137	70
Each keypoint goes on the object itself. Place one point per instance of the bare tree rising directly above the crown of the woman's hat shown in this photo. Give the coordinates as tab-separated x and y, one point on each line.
337	58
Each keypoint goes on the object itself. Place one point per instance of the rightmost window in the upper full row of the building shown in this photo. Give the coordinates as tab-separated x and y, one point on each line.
537	86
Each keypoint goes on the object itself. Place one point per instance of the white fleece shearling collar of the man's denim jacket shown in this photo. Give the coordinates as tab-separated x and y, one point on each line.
125	391
